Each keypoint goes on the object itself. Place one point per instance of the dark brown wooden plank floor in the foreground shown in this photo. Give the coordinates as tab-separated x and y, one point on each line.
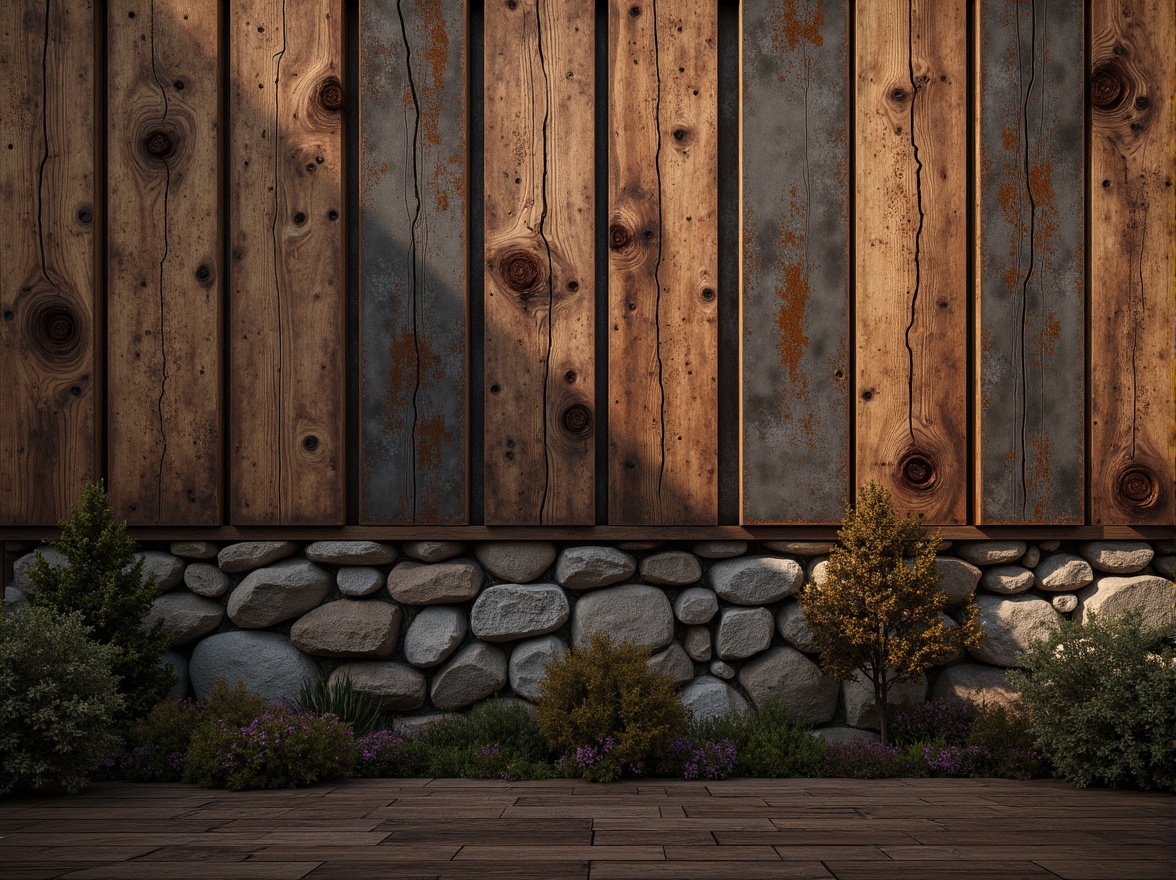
850	830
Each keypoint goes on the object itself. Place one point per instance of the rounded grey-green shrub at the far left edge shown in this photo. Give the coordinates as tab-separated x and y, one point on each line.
59	702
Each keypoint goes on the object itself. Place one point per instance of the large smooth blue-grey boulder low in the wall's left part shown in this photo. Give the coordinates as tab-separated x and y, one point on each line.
266	663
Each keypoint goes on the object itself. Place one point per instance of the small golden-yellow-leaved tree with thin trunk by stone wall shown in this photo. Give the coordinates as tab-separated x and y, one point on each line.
880	609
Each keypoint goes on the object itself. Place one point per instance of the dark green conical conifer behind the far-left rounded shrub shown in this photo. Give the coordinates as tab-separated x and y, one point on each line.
104	582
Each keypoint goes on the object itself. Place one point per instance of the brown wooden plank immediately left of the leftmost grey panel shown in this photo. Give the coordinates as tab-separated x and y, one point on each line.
288	299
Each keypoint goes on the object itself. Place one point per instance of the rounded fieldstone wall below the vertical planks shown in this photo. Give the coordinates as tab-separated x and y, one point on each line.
436	626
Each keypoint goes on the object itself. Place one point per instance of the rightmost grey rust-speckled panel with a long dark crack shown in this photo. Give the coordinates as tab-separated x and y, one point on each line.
1030	261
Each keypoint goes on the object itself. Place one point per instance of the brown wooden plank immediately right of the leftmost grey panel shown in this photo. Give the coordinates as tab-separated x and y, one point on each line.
539	263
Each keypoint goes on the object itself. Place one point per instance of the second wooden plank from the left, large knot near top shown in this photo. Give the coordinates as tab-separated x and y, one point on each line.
164	302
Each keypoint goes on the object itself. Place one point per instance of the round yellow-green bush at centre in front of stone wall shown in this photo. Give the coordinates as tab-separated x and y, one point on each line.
607	711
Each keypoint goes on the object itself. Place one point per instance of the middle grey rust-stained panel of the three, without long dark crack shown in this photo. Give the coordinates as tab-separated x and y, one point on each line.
796	261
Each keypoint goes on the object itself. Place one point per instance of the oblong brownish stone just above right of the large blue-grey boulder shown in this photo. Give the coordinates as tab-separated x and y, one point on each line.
349	628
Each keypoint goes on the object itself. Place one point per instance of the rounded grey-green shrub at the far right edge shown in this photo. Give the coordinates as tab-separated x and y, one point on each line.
1100	698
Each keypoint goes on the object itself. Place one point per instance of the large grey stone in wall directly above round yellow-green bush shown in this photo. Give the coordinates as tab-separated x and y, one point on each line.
632	614
